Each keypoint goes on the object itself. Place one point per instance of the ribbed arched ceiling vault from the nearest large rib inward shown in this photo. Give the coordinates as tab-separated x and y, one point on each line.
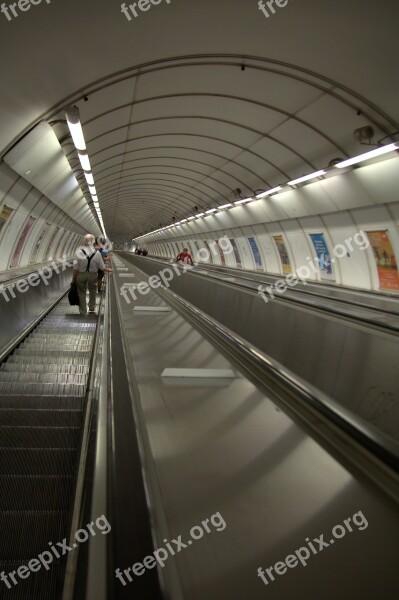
172	134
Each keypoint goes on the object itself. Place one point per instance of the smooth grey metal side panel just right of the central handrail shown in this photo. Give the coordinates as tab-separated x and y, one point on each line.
355	366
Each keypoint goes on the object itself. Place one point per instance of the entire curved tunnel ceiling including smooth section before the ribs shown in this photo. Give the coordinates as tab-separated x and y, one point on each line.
169	136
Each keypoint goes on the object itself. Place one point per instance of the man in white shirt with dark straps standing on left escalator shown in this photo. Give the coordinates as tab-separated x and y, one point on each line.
85	272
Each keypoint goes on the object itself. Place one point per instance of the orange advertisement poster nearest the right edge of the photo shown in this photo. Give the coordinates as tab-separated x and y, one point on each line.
385	259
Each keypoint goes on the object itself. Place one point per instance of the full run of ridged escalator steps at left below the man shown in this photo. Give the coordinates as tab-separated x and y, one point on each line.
42	389
